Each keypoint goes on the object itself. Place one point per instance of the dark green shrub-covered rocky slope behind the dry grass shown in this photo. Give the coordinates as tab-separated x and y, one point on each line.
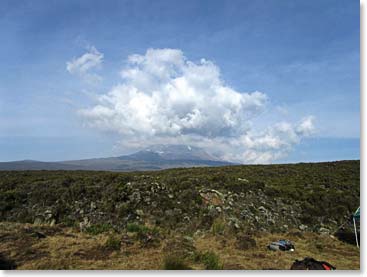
233	200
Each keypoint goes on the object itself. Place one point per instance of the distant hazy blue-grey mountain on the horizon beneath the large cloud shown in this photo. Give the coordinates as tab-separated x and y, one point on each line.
155	157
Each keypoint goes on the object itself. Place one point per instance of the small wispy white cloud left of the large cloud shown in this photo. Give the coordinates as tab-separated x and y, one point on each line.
83	65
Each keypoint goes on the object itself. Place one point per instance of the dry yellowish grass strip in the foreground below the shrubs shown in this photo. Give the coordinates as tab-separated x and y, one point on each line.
65	248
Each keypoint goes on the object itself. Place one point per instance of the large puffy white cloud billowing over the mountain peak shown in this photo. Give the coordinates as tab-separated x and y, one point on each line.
165	98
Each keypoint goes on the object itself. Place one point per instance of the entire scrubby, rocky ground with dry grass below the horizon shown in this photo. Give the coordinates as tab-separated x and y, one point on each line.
226	213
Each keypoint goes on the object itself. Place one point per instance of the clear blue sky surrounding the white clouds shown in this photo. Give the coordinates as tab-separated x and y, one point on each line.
303	55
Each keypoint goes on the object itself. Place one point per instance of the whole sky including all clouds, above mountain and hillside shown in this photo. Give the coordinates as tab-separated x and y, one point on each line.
249	81
